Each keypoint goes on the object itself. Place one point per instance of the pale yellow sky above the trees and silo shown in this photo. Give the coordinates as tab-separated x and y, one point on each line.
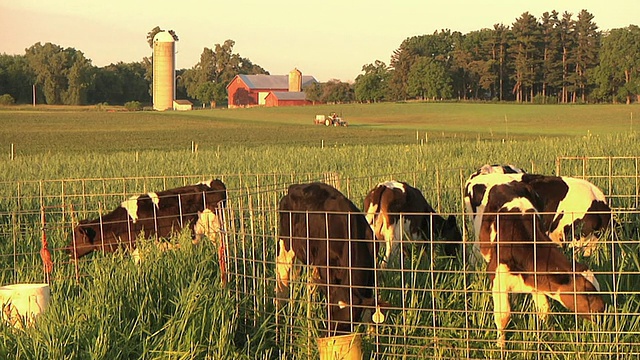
330	39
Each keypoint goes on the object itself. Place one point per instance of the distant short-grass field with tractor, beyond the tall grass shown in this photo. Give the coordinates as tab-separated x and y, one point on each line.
36	132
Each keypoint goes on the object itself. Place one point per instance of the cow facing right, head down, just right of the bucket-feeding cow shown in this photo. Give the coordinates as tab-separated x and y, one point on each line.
390	201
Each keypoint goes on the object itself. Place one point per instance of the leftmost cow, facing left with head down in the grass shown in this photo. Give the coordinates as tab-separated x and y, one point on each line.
157	214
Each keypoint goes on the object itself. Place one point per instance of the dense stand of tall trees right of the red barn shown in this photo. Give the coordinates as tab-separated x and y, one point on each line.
554	59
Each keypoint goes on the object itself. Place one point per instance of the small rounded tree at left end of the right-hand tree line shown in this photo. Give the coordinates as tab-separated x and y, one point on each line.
373	85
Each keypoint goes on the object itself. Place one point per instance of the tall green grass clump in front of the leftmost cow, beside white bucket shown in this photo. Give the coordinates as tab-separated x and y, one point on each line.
171	306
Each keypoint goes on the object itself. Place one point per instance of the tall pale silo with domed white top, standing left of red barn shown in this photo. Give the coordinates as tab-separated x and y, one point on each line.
164	71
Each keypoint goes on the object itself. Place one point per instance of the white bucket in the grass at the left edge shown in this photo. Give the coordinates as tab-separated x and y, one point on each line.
21	303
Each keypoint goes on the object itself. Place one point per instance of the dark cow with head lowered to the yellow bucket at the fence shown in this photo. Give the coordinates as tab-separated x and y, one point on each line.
321	228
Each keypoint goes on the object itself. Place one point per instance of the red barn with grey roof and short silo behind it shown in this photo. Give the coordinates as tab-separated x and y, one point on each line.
269	90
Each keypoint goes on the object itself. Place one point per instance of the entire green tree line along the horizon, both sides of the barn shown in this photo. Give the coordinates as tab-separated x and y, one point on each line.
554	59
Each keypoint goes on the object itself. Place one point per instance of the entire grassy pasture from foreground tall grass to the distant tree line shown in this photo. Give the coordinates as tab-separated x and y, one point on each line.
174	306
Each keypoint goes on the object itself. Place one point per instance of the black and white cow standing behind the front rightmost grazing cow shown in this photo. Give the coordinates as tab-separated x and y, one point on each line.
573	209
